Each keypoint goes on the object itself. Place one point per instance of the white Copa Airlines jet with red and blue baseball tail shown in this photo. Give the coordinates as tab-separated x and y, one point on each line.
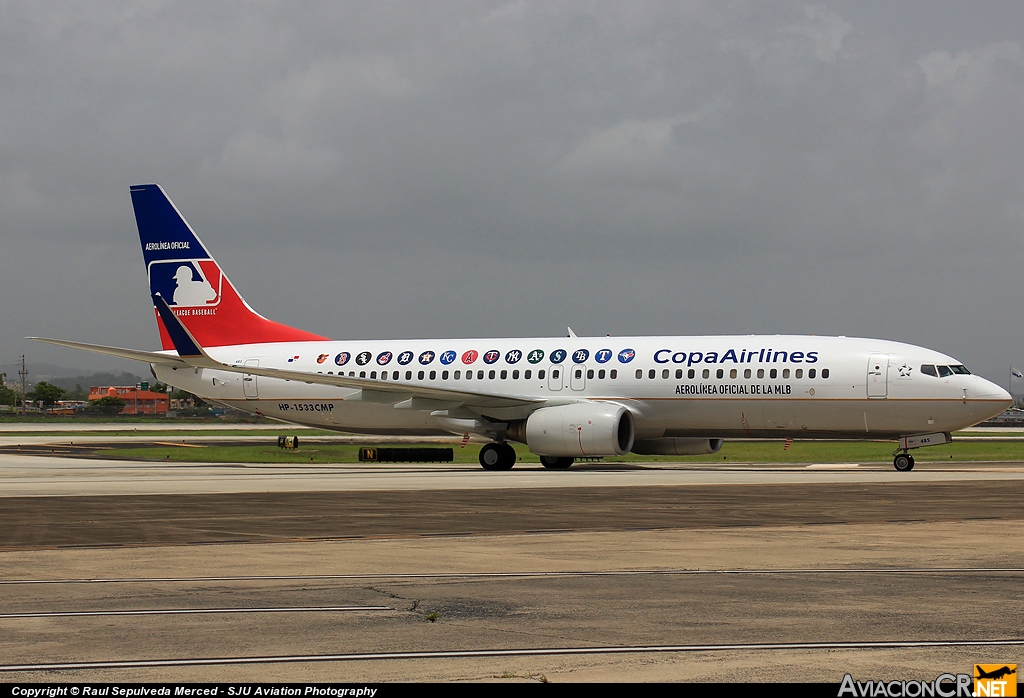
566	398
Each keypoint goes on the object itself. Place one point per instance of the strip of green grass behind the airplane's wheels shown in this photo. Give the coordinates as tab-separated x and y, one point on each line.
733	453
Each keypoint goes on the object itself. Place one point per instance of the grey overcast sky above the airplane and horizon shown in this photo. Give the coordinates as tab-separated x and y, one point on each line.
432	169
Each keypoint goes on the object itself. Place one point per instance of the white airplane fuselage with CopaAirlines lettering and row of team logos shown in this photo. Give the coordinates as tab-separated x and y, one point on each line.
731	386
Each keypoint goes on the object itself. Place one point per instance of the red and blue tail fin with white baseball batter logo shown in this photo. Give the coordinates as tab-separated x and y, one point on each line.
190	280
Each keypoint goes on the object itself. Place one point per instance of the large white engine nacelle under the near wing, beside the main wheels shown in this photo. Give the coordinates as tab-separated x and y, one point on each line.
578	430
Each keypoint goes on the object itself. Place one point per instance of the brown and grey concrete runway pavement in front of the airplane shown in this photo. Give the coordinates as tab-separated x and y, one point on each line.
150	572
